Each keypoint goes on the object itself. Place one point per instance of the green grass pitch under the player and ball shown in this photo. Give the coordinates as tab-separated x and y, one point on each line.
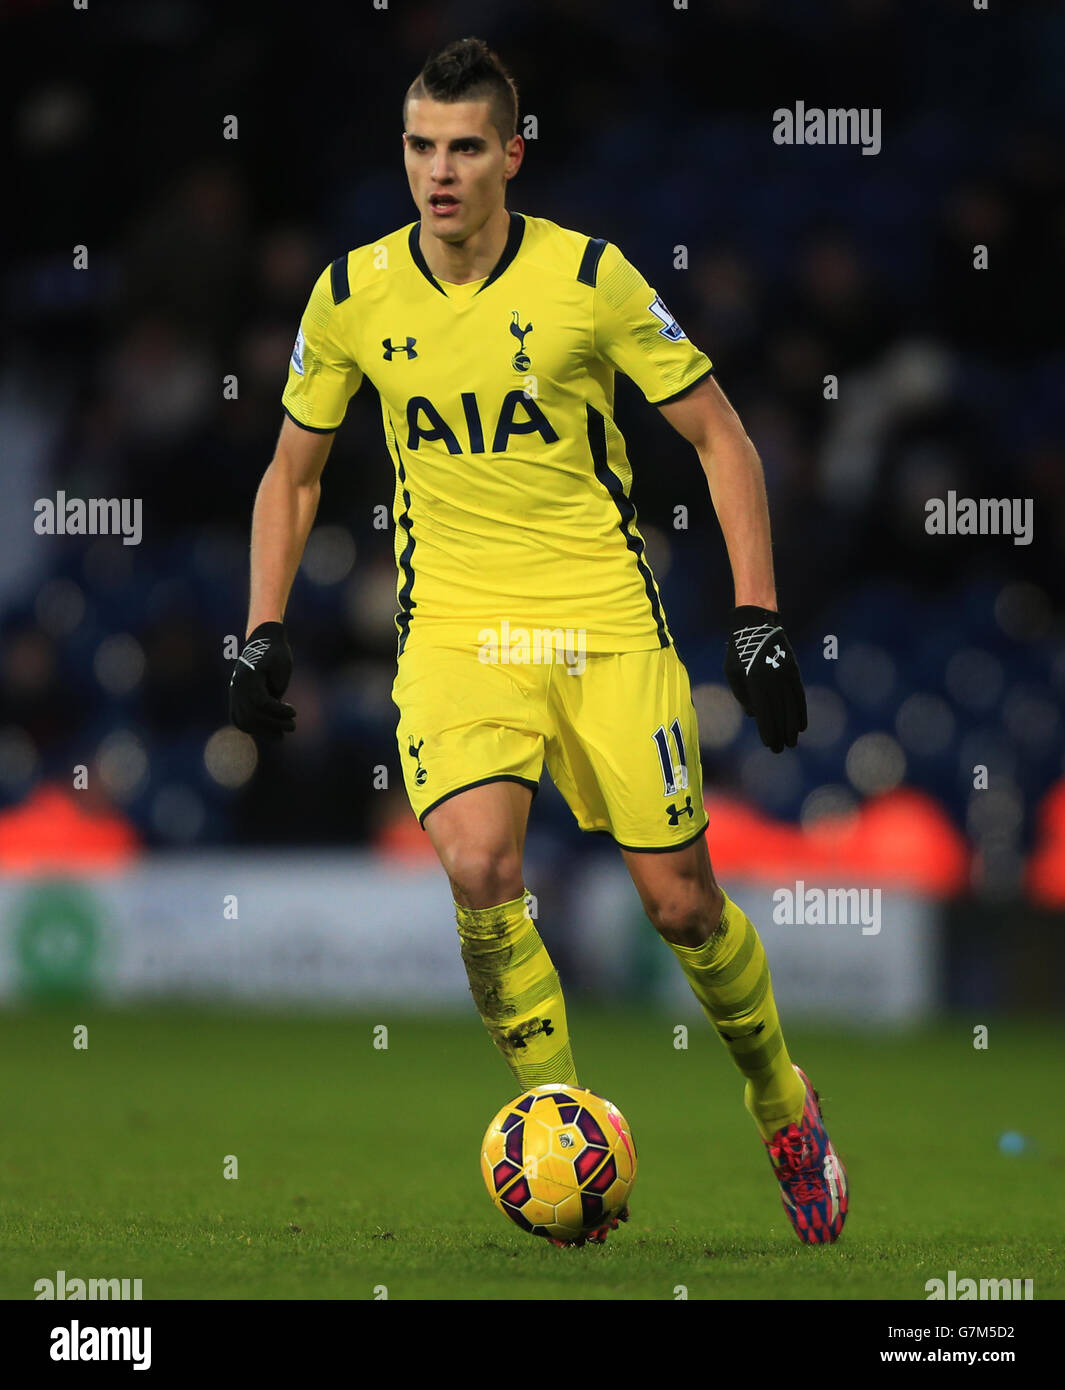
359	1167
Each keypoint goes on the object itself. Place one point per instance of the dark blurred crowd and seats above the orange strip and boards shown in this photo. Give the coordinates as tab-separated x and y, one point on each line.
654	130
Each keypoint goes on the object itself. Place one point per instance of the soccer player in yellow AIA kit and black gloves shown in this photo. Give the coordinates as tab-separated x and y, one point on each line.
530	626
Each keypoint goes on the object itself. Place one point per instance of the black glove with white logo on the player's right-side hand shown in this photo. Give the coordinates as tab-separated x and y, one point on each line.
764	675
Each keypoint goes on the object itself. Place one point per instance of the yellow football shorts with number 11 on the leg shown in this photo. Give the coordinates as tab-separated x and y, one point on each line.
619	736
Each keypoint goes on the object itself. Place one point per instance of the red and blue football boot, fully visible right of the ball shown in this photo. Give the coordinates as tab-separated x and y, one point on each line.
813	1179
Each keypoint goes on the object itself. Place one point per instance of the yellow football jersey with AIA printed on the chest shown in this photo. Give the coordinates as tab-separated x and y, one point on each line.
512	500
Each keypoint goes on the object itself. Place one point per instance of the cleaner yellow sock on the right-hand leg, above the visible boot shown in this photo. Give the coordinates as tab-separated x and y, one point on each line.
729	975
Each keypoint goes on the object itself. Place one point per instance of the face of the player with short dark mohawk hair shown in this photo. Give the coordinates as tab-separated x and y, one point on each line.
457	166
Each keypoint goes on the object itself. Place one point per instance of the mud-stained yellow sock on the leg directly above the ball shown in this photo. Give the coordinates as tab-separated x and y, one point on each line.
518	992
